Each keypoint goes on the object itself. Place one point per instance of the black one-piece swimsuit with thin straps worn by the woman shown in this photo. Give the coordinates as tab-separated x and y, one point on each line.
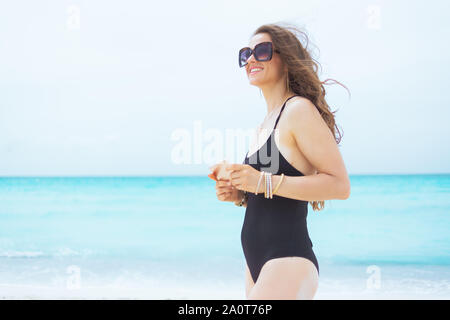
274	228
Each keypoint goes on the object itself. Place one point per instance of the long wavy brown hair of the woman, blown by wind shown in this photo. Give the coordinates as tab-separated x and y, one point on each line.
302	77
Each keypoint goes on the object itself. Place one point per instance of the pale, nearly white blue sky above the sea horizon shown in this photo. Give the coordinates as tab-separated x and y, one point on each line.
98	87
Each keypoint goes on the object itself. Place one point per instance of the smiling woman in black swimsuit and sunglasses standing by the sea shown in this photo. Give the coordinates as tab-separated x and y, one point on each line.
295	160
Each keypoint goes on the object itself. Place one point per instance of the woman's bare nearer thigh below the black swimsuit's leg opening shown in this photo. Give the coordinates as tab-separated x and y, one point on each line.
286	278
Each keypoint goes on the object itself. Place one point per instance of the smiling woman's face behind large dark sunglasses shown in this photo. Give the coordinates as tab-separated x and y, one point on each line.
272	70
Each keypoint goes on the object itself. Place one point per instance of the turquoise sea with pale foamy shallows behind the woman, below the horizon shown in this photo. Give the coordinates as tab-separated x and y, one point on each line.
170	238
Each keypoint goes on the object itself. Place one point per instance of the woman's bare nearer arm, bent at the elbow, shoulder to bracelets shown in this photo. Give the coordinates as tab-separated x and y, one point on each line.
315	140
